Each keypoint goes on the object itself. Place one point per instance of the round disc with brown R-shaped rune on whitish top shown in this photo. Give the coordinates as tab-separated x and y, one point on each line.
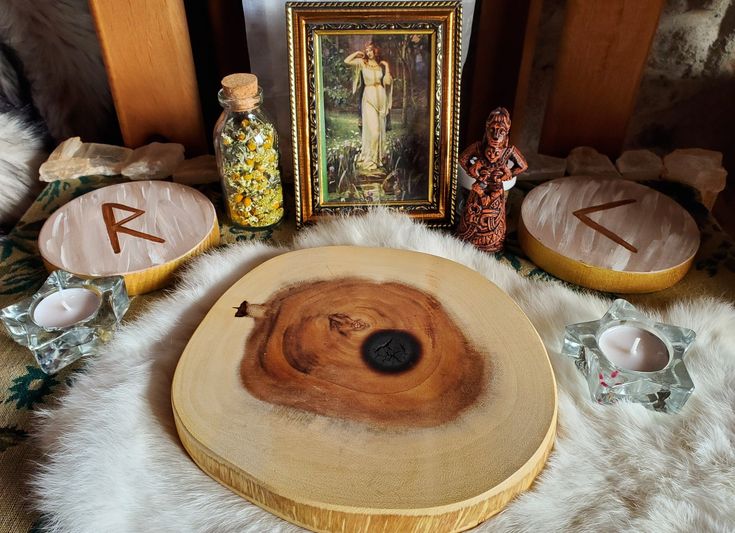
141	230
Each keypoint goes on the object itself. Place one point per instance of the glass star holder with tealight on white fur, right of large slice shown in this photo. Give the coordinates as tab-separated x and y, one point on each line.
627	356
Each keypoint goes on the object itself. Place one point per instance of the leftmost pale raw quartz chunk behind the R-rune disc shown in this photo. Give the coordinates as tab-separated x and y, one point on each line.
73	158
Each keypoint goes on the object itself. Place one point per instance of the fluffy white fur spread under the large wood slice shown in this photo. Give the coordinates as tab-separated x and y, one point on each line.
113	461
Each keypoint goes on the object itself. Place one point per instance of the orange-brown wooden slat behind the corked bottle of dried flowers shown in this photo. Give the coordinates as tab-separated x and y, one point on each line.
145	45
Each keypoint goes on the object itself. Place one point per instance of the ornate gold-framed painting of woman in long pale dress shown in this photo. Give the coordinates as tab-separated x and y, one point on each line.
375	106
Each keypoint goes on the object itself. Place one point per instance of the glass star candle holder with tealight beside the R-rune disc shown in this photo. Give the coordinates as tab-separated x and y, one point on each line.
69	317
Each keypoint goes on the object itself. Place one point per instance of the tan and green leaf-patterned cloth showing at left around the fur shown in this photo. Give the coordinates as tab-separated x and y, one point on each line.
23	387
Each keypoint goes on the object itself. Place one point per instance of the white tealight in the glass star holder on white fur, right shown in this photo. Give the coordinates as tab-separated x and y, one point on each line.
633	348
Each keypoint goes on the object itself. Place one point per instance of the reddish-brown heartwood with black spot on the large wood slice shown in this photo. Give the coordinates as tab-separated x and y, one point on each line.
331	348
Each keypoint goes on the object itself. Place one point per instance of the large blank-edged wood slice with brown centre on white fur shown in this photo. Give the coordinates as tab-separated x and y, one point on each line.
348	389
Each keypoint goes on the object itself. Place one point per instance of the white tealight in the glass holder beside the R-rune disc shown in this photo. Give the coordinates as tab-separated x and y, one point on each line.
66	307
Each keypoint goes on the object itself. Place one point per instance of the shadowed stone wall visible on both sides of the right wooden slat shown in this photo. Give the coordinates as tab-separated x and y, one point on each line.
687	95
